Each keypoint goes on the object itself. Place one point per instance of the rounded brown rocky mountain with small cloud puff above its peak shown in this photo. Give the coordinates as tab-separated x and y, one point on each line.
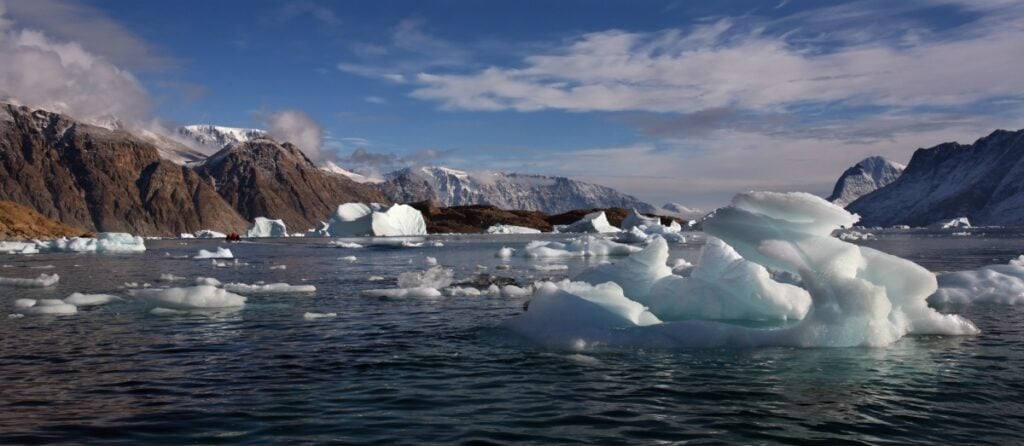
265	179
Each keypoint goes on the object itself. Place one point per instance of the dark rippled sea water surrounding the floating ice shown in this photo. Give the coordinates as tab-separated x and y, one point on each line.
420	371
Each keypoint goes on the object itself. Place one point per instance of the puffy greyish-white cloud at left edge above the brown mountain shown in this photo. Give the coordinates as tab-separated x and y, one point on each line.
40	72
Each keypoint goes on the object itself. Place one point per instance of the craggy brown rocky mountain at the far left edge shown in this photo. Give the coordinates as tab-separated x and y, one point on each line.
102	180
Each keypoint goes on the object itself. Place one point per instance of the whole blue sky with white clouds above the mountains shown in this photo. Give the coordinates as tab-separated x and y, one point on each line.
668	101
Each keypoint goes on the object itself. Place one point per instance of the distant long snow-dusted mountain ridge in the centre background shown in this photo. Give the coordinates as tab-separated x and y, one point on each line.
450	188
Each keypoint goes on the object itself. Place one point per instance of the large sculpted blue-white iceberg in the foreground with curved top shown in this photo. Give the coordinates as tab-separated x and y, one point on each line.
859	296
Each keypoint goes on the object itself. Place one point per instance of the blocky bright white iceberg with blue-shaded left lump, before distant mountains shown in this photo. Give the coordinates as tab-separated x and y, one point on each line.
357	219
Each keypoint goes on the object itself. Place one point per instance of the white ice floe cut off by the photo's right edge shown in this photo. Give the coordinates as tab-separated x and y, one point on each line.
989	285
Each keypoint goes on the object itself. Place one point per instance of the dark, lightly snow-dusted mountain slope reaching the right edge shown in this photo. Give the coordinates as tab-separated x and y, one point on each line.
984	182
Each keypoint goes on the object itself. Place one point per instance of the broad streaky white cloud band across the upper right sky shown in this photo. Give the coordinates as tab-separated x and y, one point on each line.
720	65
